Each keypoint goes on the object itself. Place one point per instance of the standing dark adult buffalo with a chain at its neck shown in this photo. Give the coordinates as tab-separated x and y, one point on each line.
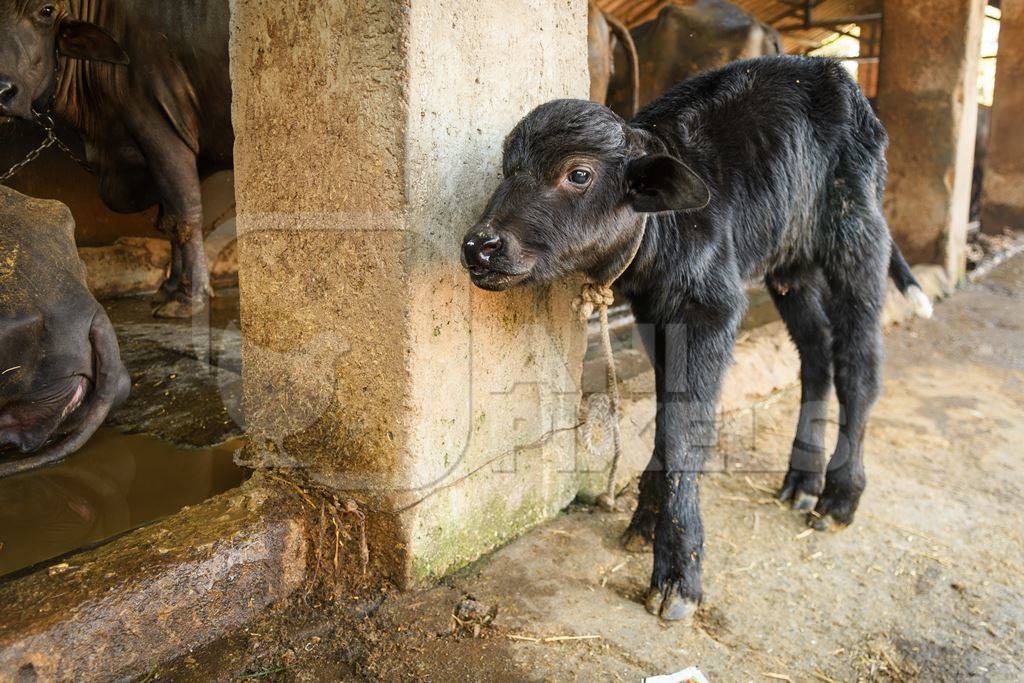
147	86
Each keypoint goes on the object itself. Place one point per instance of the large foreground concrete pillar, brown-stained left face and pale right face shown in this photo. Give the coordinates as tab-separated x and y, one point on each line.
369	137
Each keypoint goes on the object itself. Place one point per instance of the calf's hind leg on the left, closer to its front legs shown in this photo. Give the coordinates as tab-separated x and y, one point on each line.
799	301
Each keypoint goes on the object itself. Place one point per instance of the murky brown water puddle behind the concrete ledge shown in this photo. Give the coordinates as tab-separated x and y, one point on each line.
117	483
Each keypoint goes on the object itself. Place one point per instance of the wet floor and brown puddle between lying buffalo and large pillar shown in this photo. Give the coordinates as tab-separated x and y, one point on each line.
170	446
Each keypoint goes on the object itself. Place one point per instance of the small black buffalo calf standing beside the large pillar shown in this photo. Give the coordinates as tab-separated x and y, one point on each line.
771	168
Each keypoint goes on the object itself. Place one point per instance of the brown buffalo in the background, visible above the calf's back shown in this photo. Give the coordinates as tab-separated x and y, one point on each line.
687	39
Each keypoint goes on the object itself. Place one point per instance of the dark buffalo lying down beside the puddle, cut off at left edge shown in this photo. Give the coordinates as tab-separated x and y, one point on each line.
61	370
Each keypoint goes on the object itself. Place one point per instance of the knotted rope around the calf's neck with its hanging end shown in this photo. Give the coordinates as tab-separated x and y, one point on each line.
595	296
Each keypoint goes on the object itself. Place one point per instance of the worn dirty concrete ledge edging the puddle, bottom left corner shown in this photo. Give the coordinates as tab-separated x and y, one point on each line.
116	612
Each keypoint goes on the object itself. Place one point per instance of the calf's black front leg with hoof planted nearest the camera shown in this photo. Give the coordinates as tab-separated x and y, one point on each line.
691	362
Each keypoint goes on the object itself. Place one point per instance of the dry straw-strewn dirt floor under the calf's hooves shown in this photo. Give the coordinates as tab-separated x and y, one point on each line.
927	585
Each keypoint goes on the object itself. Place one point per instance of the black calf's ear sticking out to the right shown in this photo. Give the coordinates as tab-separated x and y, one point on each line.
660	183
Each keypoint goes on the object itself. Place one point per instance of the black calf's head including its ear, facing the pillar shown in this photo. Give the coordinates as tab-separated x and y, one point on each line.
577	182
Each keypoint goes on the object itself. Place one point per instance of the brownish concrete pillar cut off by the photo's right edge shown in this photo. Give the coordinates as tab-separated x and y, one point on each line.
1003	192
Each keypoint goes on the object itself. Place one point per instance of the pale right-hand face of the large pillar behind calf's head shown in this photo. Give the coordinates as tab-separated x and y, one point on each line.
495	377
